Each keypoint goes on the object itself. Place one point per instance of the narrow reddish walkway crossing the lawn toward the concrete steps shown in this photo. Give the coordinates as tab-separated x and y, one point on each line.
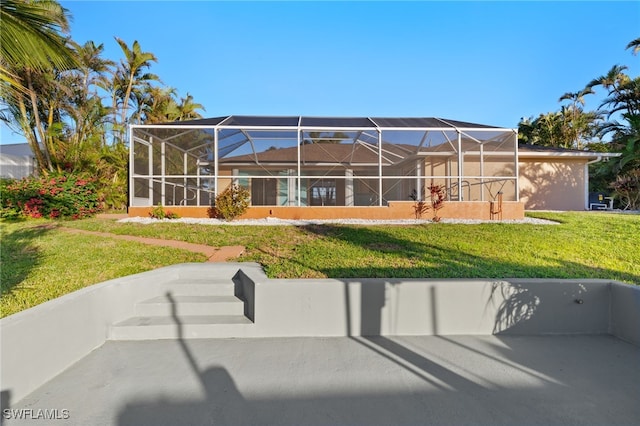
213	254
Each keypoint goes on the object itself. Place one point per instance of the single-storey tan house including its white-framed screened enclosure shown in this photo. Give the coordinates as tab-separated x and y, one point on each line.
346	167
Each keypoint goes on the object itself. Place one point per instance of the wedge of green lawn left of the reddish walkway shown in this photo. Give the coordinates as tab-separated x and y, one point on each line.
39	262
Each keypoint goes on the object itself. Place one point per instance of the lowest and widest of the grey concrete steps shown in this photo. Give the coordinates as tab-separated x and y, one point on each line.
184	327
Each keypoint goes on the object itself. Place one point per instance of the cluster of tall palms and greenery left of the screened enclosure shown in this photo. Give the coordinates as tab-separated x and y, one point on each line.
51	91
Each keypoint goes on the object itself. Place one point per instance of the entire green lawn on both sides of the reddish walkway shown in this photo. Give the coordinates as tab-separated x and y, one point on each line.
39	263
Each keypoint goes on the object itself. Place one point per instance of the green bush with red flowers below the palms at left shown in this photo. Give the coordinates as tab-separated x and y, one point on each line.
60	195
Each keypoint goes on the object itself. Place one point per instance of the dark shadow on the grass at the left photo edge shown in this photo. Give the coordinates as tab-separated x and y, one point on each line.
19	254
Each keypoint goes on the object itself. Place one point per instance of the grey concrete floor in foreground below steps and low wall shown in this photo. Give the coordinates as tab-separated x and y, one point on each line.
479	380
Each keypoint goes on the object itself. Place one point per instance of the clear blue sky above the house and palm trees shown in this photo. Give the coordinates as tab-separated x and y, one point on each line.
482	62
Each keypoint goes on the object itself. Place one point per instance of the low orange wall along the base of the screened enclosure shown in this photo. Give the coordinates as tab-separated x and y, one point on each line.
511	210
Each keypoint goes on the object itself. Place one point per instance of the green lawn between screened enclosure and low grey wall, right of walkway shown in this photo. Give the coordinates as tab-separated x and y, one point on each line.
583	245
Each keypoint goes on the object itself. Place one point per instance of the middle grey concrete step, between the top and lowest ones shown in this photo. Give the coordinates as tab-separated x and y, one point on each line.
185	305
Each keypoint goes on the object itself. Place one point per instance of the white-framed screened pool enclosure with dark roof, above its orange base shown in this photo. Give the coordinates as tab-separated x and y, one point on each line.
313	161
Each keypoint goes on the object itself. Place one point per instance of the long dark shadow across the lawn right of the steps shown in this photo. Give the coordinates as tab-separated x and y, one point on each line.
437	261
